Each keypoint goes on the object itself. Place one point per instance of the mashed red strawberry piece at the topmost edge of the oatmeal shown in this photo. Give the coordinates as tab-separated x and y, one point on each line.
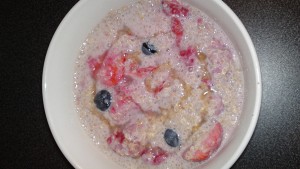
172	7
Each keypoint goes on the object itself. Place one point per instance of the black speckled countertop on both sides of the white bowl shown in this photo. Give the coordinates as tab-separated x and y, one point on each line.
27	29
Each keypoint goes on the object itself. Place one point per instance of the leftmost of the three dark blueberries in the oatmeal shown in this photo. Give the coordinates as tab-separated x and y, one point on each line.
102	100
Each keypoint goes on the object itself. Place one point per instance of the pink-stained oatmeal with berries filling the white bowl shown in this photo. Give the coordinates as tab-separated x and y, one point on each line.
159	84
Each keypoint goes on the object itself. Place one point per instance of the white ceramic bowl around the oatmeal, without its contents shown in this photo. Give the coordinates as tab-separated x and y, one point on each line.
58	83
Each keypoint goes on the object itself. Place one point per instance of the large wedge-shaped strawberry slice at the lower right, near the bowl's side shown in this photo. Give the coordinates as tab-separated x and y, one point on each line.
200	152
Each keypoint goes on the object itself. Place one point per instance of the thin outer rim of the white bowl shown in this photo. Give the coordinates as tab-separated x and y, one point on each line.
257	72
